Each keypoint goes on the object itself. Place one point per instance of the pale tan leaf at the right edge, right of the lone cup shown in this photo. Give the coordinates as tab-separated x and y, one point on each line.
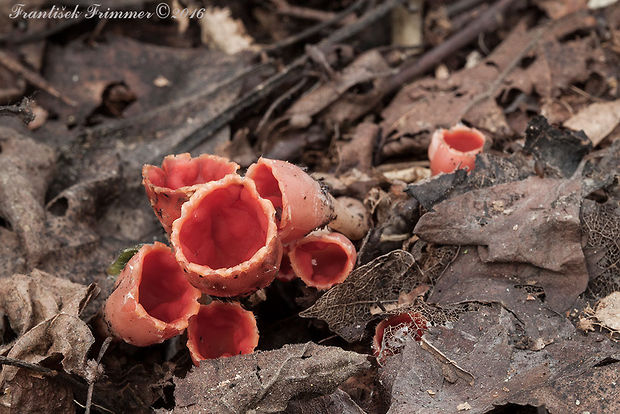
597	120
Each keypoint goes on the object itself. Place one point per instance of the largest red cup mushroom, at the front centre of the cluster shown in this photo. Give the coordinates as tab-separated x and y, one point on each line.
227	238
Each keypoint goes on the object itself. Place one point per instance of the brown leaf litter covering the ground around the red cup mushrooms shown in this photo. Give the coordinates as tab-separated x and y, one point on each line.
521	312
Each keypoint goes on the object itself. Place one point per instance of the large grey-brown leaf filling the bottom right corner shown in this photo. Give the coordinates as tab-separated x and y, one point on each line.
482	342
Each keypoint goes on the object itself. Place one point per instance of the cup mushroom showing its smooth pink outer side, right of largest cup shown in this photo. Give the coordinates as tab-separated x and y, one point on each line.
300	202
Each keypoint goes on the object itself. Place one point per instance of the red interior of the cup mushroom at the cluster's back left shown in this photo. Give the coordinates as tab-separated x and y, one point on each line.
184	172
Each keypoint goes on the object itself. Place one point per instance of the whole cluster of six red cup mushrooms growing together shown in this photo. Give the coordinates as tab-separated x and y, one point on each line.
229	236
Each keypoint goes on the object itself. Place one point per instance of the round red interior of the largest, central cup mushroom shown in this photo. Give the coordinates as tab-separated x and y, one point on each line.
225	228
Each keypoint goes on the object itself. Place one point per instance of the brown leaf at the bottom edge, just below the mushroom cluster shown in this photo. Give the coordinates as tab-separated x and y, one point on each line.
265	381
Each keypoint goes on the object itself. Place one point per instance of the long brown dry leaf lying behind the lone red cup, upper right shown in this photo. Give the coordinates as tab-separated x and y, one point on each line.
428	103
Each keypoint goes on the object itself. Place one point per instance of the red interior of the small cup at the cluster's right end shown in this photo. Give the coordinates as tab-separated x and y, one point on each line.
322	262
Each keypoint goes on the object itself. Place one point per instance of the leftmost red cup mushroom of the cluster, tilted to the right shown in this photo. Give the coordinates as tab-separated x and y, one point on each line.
152	300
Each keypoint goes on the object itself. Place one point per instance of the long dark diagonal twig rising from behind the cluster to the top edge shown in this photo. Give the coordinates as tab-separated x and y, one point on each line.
270	85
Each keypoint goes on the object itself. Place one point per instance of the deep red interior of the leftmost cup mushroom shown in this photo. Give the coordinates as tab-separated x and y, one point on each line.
164	292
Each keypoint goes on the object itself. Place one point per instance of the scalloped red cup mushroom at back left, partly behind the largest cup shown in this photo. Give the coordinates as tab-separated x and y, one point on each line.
178	178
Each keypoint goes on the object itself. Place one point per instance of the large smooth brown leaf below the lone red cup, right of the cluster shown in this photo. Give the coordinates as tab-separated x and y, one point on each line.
526	229
